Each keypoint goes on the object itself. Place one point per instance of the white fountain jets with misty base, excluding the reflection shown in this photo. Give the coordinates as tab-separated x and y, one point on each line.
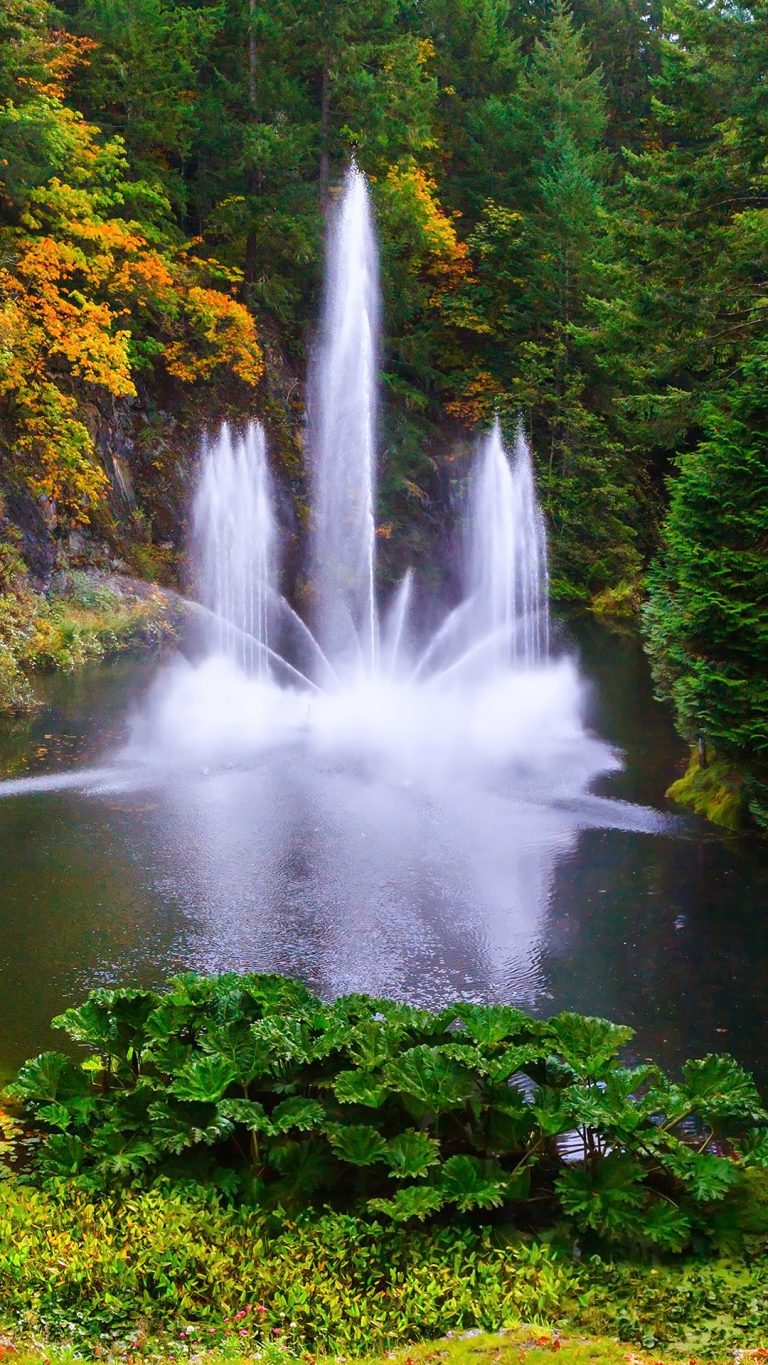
479	698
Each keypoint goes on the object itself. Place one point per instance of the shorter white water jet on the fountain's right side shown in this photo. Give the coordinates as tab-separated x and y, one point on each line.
507	556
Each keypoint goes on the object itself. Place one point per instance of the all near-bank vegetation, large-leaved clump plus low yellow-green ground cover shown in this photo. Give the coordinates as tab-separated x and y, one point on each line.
205	1187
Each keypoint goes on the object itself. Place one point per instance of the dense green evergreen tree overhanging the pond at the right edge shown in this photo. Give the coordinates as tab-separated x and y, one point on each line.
707	616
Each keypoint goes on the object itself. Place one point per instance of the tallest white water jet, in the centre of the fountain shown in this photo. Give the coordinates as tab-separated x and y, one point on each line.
343	436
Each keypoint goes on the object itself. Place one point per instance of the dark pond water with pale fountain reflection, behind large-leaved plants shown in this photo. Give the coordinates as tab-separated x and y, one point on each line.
361	885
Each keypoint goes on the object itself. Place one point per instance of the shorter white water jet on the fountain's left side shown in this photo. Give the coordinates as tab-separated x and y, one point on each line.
237	547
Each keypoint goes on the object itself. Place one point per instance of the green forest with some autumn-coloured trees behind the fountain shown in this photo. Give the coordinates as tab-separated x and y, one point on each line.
574	214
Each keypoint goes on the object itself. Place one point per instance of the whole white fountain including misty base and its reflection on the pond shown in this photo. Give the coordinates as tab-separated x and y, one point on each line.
350	799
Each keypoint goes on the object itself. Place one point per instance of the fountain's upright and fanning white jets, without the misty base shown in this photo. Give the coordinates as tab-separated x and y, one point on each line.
503	623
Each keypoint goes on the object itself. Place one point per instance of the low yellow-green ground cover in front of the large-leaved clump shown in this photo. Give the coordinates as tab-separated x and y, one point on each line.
164	1274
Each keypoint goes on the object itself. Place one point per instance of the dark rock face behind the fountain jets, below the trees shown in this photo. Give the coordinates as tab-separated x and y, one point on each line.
149	447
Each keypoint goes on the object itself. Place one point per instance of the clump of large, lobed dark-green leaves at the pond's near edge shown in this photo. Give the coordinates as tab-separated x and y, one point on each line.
257	1090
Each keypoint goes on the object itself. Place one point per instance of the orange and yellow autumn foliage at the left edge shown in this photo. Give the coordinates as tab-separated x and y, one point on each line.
89	298
